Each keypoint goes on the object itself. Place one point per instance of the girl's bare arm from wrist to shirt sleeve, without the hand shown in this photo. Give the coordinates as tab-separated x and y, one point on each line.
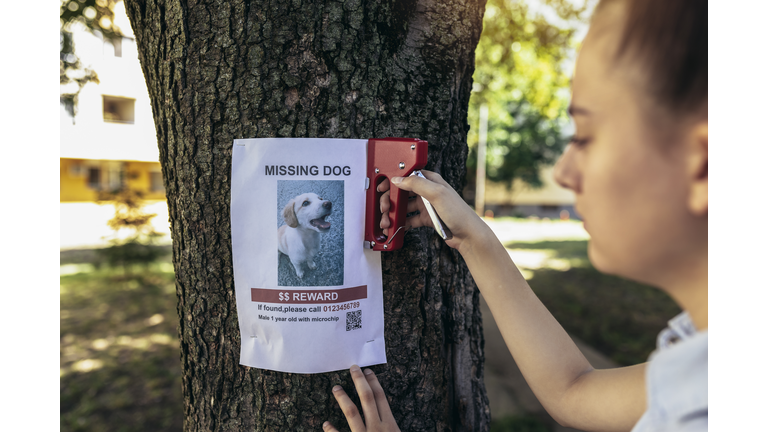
554	367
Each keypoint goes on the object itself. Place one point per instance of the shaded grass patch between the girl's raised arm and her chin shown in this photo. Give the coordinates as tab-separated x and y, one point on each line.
618	317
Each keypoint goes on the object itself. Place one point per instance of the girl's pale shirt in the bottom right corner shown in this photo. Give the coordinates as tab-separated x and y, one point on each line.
676	380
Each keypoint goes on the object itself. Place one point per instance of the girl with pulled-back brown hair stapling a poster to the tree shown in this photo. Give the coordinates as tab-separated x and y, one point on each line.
638	168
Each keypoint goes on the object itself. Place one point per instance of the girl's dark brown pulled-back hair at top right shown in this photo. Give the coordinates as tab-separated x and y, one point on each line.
669	39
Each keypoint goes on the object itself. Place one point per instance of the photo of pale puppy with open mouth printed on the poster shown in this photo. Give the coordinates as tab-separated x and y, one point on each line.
310	232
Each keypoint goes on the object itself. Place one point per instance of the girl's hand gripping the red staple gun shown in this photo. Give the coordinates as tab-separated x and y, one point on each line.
455	213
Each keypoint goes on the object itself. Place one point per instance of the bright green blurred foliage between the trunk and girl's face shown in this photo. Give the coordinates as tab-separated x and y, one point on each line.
519	75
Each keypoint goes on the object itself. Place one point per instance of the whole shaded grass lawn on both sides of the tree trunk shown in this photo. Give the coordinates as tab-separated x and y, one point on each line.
120	368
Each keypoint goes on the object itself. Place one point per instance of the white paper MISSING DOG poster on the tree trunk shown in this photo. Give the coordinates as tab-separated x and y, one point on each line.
309	295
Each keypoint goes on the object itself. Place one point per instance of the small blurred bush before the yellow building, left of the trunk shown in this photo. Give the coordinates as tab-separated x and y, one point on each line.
138	247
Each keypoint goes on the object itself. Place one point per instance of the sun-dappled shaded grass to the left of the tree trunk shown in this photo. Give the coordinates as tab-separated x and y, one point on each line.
120	368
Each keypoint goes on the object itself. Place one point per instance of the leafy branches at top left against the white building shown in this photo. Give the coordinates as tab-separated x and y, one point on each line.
96	16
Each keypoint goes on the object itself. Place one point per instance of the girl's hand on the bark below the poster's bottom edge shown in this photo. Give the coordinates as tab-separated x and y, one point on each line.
378	416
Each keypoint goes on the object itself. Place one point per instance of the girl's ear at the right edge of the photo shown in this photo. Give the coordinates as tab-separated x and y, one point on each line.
697	166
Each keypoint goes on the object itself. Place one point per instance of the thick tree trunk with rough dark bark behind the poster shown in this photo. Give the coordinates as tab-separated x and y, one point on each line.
219	70
